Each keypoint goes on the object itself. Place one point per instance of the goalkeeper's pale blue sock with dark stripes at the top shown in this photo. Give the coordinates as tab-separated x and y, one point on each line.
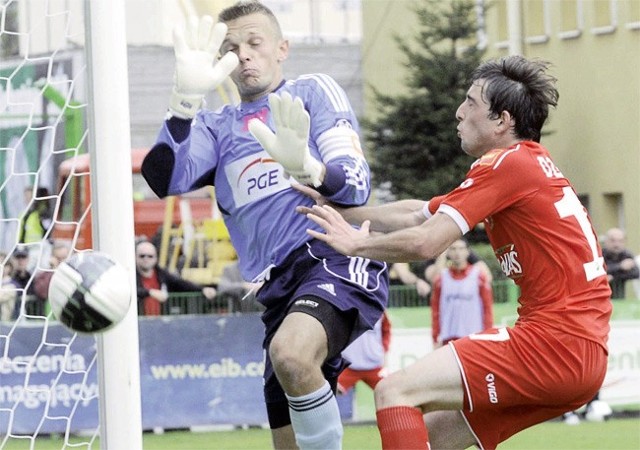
315	418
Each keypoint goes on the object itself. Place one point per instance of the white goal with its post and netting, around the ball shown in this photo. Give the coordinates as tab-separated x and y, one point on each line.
63	92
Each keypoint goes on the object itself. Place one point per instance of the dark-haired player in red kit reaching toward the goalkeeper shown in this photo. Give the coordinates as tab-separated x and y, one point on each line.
482	389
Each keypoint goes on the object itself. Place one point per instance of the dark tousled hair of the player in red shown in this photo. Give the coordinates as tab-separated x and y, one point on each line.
523	88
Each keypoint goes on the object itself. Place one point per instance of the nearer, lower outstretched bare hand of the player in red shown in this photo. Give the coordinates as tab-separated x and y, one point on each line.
339	234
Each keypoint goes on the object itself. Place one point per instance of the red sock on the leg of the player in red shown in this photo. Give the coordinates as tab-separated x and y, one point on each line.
402	427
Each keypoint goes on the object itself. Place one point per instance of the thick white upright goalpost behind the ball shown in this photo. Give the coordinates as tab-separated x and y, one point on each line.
118	351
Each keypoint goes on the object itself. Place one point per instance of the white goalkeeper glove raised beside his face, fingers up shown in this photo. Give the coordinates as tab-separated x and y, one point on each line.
196	47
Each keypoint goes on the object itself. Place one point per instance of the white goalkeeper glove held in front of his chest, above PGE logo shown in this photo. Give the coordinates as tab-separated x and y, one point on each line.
289	144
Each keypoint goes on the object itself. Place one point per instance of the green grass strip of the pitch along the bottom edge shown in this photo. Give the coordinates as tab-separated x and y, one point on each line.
618	434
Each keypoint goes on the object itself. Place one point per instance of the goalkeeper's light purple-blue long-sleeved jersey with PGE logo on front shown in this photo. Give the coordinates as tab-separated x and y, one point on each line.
256	200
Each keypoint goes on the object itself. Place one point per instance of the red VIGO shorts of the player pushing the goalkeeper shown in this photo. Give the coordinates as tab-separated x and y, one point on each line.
515	378
